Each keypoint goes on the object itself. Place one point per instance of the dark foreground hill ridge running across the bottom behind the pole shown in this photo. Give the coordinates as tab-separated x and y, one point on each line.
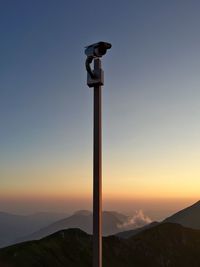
165	245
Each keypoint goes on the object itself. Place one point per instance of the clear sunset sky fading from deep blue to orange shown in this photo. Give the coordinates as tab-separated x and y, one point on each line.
151	111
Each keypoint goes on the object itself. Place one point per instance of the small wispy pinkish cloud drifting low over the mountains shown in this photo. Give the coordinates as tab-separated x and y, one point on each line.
139	219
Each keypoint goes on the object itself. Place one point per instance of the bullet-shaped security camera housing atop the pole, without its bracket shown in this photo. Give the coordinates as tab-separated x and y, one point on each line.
97	50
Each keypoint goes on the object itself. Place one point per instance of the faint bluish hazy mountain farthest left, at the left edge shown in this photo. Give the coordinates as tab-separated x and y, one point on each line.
14	226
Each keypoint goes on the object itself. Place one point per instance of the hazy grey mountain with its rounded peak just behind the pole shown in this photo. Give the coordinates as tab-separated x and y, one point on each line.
83	220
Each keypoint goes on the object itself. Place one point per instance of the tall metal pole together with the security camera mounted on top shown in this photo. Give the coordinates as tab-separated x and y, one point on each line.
95	79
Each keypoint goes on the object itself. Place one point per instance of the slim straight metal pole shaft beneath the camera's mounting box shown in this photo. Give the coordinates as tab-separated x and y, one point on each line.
97	173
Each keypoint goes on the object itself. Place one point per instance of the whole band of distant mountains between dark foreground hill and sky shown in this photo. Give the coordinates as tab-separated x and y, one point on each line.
19	228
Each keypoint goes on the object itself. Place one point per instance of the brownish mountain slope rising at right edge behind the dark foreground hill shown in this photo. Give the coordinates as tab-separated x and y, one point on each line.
188	217
